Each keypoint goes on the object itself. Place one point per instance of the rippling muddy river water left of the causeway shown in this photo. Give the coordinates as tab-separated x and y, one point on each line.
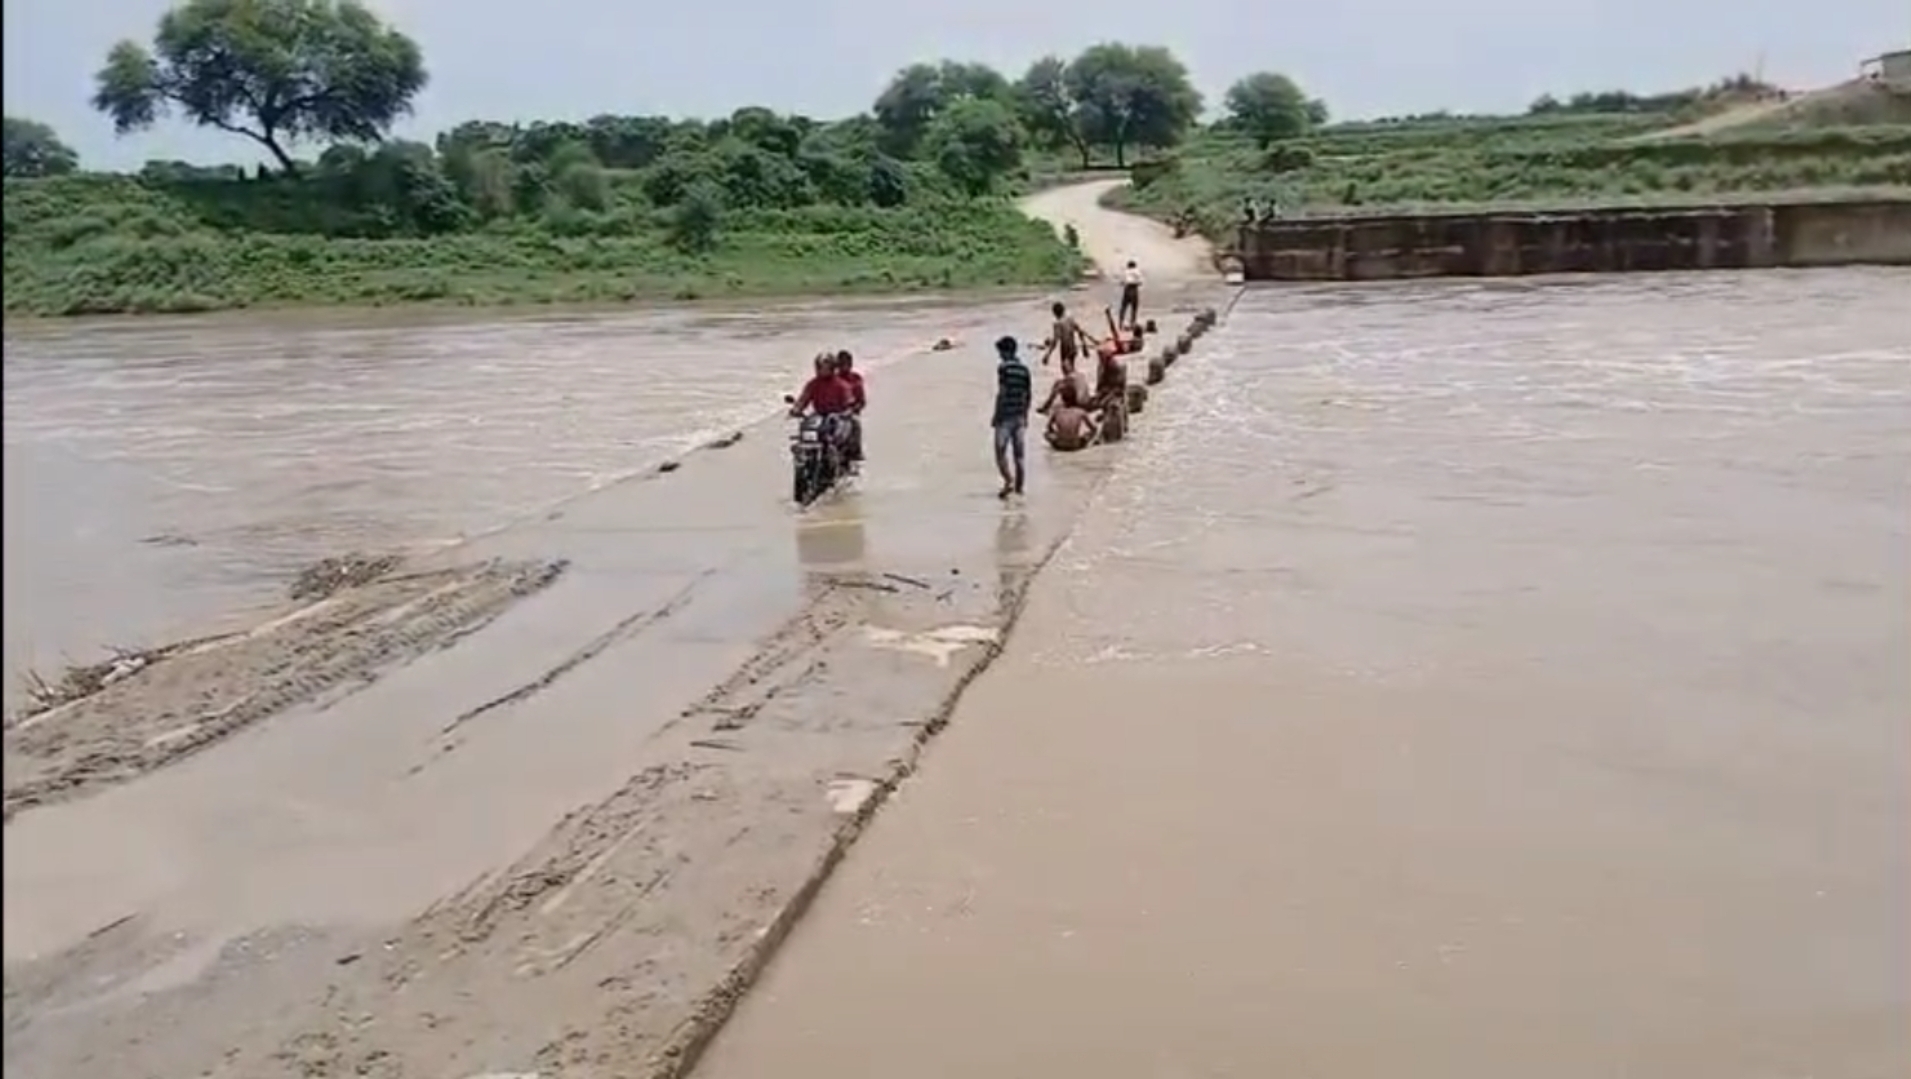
163	475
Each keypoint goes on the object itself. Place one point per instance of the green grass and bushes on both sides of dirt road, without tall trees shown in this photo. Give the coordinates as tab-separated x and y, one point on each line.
760	205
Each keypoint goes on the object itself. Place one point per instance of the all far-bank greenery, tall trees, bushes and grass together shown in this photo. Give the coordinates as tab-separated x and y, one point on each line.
909	196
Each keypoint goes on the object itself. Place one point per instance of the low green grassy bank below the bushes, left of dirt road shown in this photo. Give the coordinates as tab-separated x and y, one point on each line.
121	245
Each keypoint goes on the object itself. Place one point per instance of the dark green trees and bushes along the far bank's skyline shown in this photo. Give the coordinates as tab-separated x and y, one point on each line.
288	74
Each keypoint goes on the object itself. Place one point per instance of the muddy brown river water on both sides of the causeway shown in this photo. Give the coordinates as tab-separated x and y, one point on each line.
1568	625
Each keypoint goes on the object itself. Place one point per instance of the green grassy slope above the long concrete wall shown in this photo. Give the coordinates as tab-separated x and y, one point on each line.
1513	163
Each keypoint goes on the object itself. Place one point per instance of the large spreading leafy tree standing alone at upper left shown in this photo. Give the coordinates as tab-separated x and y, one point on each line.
274	72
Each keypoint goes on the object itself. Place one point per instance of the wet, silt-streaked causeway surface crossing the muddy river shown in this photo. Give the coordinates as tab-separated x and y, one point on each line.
693	692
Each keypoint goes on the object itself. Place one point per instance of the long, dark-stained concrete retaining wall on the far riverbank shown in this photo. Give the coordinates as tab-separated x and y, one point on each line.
1583	242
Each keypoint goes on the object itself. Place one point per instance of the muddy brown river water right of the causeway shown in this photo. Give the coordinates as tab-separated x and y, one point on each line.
1471	681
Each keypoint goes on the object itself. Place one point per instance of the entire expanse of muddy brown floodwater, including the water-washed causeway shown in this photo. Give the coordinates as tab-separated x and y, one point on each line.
1442	681
